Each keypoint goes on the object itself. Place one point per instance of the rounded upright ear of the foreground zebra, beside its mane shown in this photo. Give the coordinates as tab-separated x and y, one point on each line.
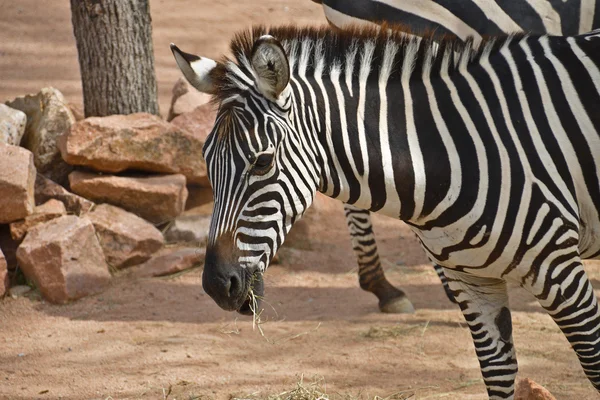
271	66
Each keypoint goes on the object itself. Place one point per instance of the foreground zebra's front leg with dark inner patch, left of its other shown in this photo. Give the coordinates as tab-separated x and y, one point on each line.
484	304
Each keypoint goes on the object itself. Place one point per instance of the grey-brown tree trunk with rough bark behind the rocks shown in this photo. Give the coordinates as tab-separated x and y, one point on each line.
114	42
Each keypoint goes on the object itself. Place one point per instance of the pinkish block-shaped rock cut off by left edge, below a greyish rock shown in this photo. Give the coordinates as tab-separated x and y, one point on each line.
17	180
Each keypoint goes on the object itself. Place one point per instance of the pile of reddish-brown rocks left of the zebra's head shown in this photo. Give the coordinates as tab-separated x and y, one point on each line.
80	198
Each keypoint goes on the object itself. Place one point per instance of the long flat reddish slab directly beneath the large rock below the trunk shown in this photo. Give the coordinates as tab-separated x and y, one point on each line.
155	198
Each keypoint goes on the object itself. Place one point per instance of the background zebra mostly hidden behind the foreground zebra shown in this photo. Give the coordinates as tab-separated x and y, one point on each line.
475	18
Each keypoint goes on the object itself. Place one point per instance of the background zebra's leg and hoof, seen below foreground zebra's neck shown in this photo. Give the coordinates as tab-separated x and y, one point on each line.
370	273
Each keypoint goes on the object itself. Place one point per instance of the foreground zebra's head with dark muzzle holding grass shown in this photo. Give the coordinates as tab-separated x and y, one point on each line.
258	177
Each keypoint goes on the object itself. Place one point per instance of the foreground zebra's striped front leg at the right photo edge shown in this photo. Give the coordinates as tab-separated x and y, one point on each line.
569	298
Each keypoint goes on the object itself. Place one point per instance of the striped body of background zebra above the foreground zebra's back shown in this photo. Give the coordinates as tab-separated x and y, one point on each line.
465	18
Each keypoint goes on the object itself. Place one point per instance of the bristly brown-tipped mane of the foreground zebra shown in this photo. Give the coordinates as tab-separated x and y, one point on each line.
309	48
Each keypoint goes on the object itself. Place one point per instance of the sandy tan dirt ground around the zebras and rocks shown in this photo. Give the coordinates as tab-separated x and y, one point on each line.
164	338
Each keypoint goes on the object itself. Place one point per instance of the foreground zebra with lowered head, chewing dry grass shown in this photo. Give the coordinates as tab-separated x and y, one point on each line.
486	152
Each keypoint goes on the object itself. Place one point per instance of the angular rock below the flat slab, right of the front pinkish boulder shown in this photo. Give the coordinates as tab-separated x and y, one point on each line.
126	239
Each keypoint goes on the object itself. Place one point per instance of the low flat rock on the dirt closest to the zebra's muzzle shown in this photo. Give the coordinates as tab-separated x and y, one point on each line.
170	262
